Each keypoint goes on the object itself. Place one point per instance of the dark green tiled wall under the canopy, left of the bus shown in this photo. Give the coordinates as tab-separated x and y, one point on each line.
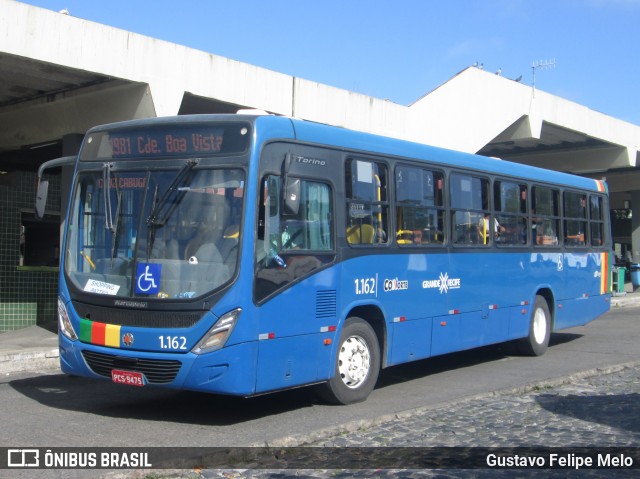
26	297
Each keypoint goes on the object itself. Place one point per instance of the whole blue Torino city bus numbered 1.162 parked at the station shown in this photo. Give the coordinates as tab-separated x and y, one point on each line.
244	254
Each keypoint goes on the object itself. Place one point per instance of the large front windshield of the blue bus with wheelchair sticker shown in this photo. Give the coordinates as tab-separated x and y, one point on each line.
169	234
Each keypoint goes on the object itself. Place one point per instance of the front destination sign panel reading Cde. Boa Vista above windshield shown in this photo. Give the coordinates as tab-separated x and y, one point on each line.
167	141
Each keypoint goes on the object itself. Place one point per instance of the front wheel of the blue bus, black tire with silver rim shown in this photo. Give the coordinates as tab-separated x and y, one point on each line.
357	364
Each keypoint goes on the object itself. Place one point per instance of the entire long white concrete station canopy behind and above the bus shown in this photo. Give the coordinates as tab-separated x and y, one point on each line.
60	75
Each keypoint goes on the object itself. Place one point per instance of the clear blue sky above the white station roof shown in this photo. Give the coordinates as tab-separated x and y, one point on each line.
402	49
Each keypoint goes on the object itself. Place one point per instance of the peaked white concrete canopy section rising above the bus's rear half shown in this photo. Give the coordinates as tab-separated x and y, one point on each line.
491	115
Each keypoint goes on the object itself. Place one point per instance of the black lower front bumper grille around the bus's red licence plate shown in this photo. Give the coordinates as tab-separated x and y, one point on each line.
157	371
